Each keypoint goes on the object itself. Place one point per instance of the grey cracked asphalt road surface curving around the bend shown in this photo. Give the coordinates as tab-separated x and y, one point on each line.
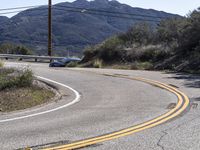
107	104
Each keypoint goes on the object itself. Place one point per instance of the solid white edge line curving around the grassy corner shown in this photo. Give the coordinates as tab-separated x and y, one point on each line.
76	100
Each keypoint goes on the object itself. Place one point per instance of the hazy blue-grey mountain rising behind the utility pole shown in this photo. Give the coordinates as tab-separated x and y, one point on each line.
75	25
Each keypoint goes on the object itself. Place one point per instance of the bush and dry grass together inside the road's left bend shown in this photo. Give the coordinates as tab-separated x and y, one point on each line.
17	90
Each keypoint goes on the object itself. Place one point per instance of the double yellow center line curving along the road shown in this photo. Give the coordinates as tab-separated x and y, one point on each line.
182	104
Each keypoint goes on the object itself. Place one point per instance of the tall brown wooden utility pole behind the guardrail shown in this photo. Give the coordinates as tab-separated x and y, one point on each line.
50	28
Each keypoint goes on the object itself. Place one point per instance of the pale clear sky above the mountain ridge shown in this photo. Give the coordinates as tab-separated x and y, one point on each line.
181	7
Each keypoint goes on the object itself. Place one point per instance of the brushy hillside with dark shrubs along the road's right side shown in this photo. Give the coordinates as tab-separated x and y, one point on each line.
173	45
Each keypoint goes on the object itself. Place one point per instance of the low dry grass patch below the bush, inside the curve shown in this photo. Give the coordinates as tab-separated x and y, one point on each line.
21	98
